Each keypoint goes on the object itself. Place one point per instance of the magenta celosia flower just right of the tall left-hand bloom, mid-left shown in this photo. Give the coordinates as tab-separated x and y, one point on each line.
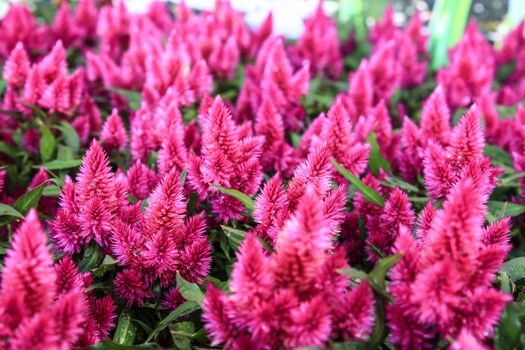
166	241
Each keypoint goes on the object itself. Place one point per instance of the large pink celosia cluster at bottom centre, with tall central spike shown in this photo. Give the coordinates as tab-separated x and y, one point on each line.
274	297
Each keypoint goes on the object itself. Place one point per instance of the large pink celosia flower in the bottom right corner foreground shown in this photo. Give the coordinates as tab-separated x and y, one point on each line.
434	281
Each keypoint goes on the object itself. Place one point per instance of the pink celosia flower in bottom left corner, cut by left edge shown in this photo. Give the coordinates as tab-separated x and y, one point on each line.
32	314
